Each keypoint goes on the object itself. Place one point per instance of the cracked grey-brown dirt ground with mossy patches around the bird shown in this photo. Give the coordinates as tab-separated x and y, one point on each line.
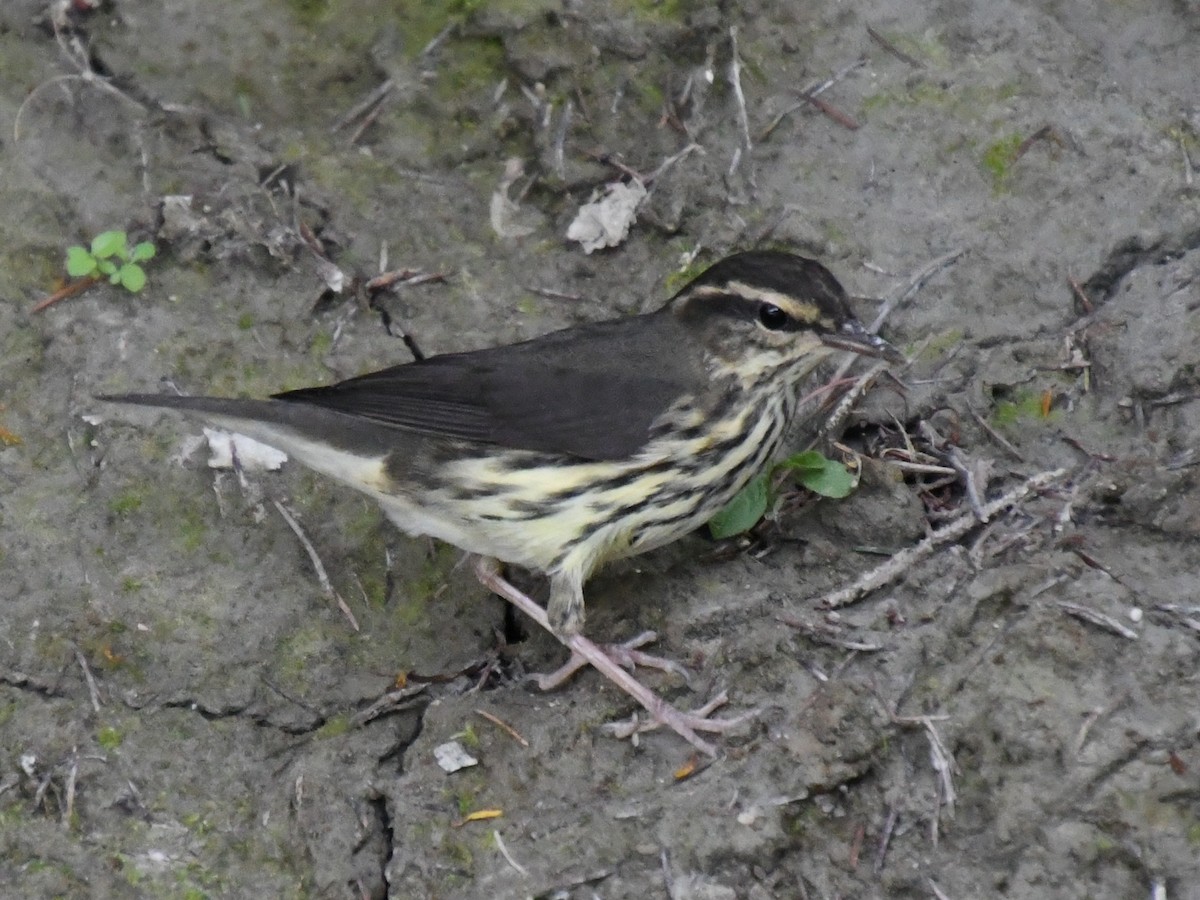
184	712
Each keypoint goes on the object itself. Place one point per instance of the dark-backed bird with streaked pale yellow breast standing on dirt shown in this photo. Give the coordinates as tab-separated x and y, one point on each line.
563	453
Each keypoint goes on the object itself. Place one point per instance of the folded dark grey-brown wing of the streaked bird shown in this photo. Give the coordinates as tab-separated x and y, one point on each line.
590	392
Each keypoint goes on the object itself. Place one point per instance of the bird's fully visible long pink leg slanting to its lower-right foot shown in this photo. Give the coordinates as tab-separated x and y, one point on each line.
683	724
